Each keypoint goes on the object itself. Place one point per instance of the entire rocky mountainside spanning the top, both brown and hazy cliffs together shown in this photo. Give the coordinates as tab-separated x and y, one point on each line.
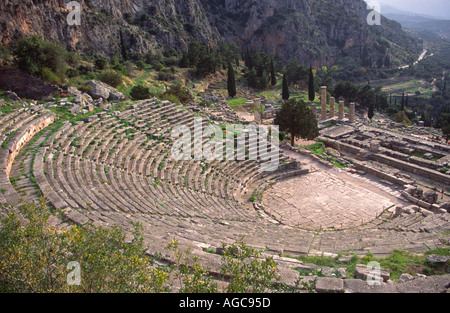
317	31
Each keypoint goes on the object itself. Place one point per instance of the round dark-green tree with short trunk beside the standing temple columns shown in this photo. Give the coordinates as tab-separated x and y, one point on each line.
297	119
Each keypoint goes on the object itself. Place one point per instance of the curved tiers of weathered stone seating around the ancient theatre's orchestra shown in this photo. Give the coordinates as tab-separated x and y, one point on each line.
114	168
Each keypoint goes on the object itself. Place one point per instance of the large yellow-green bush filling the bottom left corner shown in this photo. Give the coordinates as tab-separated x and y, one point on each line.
35	258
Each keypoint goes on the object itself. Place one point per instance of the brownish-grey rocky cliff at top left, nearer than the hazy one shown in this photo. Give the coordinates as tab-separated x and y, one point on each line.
145	24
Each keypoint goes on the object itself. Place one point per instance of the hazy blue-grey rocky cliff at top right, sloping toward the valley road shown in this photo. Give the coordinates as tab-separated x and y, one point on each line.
317	31
